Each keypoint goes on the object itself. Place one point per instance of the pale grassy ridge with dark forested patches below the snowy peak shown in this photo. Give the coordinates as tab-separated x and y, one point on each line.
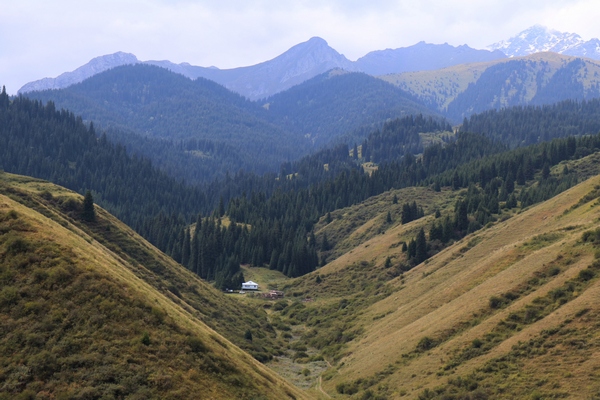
541	78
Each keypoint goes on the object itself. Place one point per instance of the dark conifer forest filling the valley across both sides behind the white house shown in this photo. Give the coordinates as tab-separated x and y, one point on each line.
280	214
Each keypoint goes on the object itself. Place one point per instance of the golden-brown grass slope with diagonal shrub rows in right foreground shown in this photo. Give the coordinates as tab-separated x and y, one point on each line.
510	311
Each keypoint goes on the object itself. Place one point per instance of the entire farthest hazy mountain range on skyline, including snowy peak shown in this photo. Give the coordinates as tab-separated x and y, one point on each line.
313	57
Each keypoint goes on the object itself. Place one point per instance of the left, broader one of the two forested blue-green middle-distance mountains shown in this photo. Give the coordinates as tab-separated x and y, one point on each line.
214	129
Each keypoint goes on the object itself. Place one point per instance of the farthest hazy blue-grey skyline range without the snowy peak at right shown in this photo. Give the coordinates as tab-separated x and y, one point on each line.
298	64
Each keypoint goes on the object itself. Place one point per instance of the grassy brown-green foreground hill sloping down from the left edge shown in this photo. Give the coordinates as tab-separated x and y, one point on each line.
85	317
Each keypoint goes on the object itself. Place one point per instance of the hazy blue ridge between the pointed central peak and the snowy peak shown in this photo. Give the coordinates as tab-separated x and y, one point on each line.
422	56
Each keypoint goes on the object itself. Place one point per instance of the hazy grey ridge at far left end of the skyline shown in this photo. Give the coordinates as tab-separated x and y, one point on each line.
93	67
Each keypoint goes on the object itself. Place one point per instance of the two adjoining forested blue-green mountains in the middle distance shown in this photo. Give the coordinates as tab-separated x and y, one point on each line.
198	130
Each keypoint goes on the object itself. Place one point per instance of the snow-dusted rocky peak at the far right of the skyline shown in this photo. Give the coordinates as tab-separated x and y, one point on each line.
540	38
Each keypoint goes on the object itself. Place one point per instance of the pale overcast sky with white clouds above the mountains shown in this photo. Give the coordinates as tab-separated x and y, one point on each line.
41	38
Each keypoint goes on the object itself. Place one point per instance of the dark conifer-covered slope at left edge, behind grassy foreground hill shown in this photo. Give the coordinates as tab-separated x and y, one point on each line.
40	141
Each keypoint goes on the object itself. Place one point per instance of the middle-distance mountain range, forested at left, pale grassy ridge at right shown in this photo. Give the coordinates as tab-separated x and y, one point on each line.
198	130
